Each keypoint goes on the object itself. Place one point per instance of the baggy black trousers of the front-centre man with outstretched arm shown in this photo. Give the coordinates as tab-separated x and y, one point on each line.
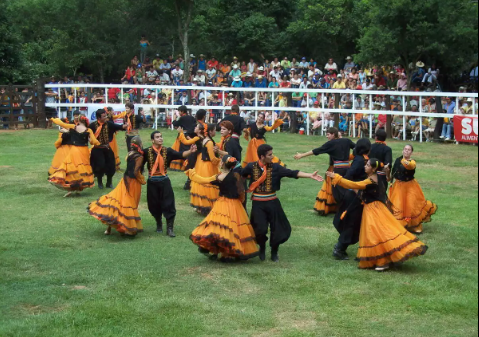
265	214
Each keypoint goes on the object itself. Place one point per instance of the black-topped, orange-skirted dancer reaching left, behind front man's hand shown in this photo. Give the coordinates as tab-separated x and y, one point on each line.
339	151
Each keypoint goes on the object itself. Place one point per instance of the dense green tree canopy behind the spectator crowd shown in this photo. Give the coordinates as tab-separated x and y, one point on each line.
99	37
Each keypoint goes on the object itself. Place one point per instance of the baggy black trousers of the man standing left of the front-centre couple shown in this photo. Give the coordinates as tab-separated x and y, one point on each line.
161	199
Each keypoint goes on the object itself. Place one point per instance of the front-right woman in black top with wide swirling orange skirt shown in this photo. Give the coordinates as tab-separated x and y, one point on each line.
383	240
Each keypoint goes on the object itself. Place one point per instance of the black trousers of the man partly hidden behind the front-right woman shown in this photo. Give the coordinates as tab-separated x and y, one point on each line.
349	227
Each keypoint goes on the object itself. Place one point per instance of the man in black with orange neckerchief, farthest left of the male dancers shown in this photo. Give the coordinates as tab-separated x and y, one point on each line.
102	156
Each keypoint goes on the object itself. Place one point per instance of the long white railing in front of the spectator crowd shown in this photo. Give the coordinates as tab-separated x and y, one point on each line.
171	105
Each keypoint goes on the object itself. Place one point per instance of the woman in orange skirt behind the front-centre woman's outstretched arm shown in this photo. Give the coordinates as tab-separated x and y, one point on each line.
203	197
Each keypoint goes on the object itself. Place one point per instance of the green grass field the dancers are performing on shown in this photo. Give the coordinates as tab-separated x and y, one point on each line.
60	276
